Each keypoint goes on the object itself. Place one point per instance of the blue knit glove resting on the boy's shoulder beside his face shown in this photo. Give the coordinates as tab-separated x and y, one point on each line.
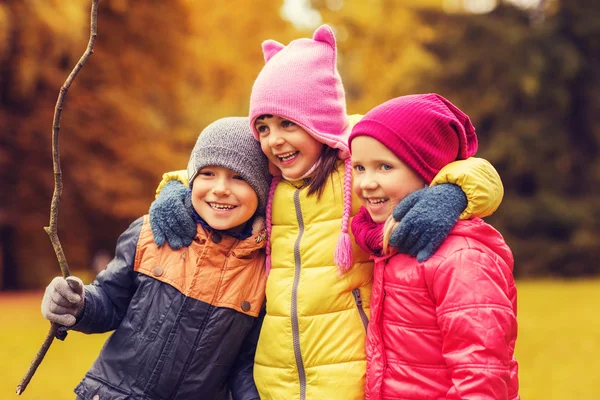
171	216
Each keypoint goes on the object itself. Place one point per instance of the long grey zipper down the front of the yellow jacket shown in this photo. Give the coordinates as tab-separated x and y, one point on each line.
294	311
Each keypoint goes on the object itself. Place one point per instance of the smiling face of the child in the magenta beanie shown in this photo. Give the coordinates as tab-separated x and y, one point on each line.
381	180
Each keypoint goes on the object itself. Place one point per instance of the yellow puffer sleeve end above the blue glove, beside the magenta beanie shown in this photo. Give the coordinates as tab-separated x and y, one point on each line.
480	182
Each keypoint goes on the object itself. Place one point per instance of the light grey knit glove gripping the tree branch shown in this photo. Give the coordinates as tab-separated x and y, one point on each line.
63	300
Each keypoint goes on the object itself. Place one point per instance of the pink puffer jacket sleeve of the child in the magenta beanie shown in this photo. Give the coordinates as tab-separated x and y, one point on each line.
474	294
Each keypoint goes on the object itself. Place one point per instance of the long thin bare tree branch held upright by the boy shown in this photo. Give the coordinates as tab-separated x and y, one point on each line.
52	230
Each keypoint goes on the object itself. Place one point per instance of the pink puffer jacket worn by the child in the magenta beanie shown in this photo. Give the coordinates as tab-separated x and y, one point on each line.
445	328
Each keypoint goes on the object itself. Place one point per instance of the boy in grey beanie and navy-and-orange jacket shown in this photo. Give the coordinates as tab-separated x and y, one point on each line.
185	321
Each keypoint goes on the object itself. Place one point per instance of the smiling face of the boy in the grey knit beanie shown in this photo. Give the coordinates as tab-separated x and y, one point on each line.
223	198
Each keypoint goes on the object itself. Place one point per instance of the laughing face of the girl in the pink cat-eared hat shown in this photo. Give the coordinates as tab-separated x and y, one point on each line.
287	145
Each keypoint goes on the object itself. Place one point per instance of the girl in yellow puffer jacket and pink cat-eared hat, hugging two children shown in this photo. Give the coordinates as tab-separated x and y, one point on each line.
312	342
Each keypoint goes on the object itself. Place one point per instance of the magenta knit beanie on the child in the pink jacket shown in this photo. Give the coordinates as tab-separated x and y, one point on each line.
425	131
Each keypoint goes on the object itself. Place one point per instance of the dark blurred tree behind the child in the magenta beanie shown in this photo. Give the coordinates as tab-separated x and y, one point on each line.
531	85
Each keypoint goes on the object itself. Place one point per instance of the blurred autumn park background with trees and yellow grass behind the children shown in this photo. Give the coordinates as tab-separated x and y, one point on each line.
526	71
